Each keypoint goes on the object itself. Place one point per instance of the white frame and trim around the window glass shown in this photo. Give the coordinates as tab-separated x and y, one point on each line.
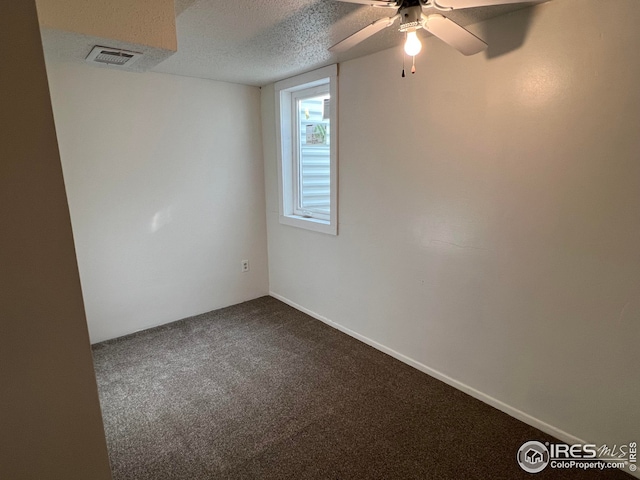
287	149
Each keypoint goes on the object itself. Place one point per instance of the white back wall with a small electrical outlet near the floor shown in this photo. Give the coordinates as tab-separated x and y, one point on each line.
164	176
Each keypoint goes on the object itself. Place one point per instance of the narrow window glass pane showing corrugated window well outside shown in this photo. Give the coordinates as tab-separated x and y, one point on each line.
314	170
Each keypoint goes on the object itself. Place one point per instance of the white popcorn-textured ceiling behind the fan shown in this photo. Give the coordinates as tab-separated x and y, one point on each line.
256	42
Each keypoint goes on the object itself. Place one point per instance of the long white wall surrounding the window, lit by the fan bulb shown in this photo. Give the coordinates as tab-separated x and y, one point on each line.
490	216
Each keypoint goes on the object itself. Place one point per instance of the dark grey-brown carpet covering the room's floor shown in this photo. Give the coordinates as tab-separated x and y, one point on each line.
262	391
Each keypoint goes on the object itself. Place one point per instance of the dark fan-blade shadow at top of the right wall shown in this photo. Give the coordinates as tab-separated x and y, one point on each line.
509	36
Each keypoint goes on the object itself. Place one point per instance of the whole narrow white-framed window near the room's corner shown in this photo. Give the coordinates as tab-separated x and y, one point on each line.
306	107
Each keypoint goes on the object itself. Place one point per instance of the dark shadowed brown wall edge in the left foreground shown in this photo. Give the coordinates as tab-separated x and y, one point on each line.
49	411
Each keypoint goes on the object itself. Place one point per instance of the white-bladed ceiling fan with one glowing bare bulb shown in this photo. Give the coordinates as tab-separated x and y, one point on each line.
413	15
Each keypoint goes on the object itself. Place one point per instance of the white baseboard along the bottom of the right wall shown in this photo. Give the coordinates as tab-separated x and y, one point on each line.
483	397
